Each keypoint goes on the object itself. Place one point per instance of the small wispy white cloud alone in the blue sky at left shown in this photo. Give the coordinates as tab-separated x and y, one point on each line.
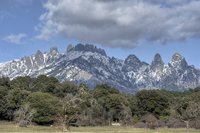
16	39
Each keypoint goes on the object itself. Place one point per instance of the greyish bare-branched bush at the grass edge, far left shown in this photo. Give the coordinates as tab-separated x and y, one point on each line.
24	115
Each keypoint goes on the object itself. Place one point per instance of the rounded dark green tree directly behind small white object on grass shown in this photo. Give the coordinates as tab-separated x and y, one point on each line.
113	102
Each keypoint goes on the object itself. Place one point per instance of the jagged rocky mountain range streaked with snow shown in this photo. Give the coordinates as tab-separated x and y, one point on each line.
85	63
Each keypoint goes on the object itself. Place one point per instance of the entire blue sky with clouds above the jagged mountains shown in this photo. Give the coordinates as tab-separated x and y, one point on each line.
121	27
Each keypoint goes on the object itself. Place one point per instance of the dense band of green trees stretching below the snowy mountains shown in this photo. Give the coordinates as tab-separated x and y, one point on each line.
46	101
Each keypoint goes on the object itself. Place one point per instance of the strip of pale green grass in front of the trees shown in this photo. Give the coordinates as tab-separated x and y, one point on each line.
12	128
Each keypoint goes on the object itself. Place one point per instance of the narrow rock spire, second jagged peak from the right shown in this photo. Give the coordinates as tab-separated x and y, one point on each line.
157	62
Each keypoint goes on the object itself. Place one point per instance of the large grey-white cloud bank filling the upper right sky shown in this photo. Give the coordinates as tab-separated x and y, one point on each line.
121	23
